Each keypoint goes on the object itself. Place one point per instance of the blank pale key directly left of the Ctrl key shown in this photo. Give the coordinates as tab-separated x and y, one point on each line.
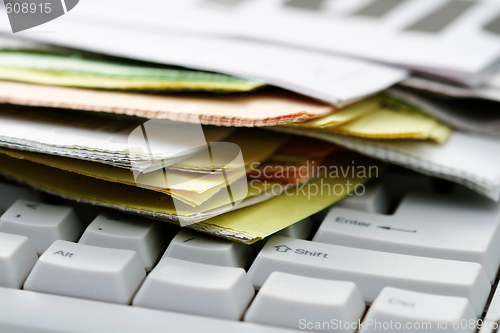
294	301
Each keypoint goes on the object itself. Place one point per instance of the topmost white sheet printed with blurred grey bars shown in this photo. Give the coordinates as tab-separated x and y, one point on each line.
410	33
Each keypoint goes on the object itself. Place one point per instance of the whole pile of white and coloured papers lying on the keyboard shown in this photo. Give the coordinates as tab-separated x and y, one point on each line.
111	119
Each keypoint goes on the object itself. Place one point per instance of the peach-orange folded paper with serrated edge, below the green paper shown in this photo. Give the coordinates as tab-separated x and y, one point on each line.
261	108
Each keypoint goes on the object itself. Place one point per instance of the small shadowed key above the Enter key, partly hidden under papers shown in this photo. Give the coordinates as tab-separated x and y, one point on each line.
374	199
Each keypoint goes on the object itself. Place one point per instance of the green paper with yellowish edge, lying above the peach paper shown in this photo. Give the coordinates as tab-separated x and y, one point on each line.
82	72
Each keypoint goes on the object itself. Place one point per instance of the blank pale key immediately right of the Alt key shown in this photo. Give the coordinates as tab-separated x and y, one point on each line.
183	286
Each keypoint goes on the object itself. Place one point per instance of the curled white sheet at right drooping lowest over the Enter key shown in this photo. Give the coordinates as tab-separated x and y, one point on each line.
469	159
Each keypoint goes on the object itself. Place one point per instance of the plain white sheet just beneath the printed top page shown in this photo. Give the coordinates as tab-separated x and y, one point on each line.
334	79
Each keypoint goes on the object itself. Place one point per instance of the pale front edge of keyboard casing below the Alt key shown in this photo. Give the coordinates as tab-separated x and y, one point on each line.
27	311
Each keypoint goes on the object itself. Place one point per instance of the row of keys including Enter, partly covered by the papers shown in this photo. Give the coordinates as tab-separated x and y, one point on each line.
442	230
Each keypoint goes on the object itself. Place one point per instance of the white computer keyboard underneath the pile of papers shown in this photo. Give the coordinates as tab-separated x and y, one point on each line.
423	257
